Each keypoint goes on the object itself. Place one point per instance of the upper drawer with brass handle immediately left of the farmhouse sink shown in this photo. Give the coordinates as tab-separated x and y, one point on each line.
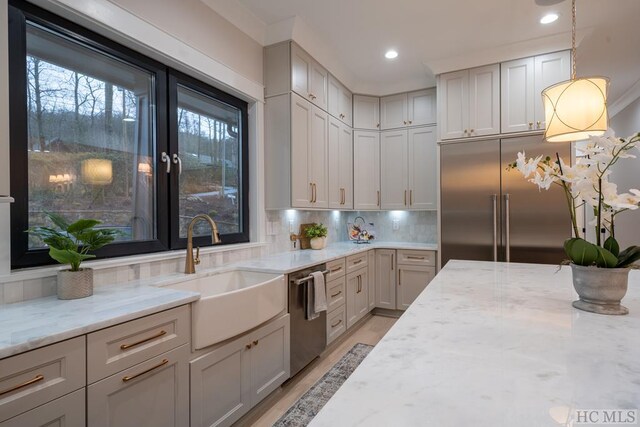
120	347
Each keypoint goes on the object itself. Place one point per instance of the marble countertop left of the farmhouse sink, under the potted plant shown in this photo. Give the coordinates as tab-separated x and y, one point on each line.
35	323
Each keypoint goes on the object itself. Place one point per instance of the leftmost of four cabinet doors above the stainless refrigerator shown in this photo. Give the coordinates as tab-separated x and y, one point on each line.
453	99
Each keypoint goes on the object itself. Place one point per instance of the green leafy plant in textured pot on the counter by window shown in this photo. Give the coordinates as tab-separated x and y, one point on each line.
71	244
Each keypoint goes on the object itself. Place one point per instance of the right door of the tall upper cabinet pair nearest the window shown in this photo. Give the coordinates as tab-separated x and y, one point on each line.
317	161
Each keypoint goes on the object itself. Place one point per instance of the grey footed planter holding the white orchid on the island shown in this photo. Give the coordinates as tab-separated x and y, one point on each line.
600	289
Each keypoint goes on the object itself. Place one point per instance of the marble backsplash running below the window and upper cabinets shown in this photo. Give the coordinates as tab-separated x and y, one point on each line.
419	226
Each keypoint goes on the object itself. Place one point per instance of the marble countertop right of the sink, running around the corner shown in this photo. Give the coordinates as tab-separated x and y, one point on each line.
287	262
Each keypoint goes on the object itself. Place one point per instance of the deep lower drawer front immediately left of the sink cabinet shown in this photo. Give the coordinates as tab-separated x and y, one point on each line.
154	393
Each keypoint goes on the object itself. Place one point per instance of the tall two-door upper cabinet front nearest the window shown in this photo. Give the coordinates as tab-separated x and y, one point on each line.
309	139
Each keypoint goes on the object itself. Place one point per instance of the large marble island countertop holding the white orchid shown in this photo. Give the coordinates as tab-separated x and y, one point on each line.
495	344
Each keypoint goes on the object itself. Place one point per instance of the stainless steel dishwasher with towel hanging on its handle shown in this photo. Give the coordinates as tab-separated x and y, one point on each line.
308	337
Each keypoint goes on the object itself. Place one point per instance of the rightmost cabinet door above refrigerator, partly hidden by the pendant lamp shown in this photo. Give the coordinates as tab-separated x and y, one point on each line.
548	70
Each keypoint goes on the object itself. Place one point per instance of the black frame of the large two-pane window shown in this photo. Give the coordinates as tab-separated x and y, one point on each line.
166	195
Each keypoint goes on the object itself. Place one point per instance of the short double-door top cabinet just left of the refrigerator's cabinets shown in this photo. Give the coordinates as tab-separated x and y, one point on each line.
408	109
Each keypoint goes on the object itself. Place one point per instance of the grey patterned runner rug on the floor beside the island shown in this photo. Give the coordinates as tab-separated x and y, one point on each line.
302	412
